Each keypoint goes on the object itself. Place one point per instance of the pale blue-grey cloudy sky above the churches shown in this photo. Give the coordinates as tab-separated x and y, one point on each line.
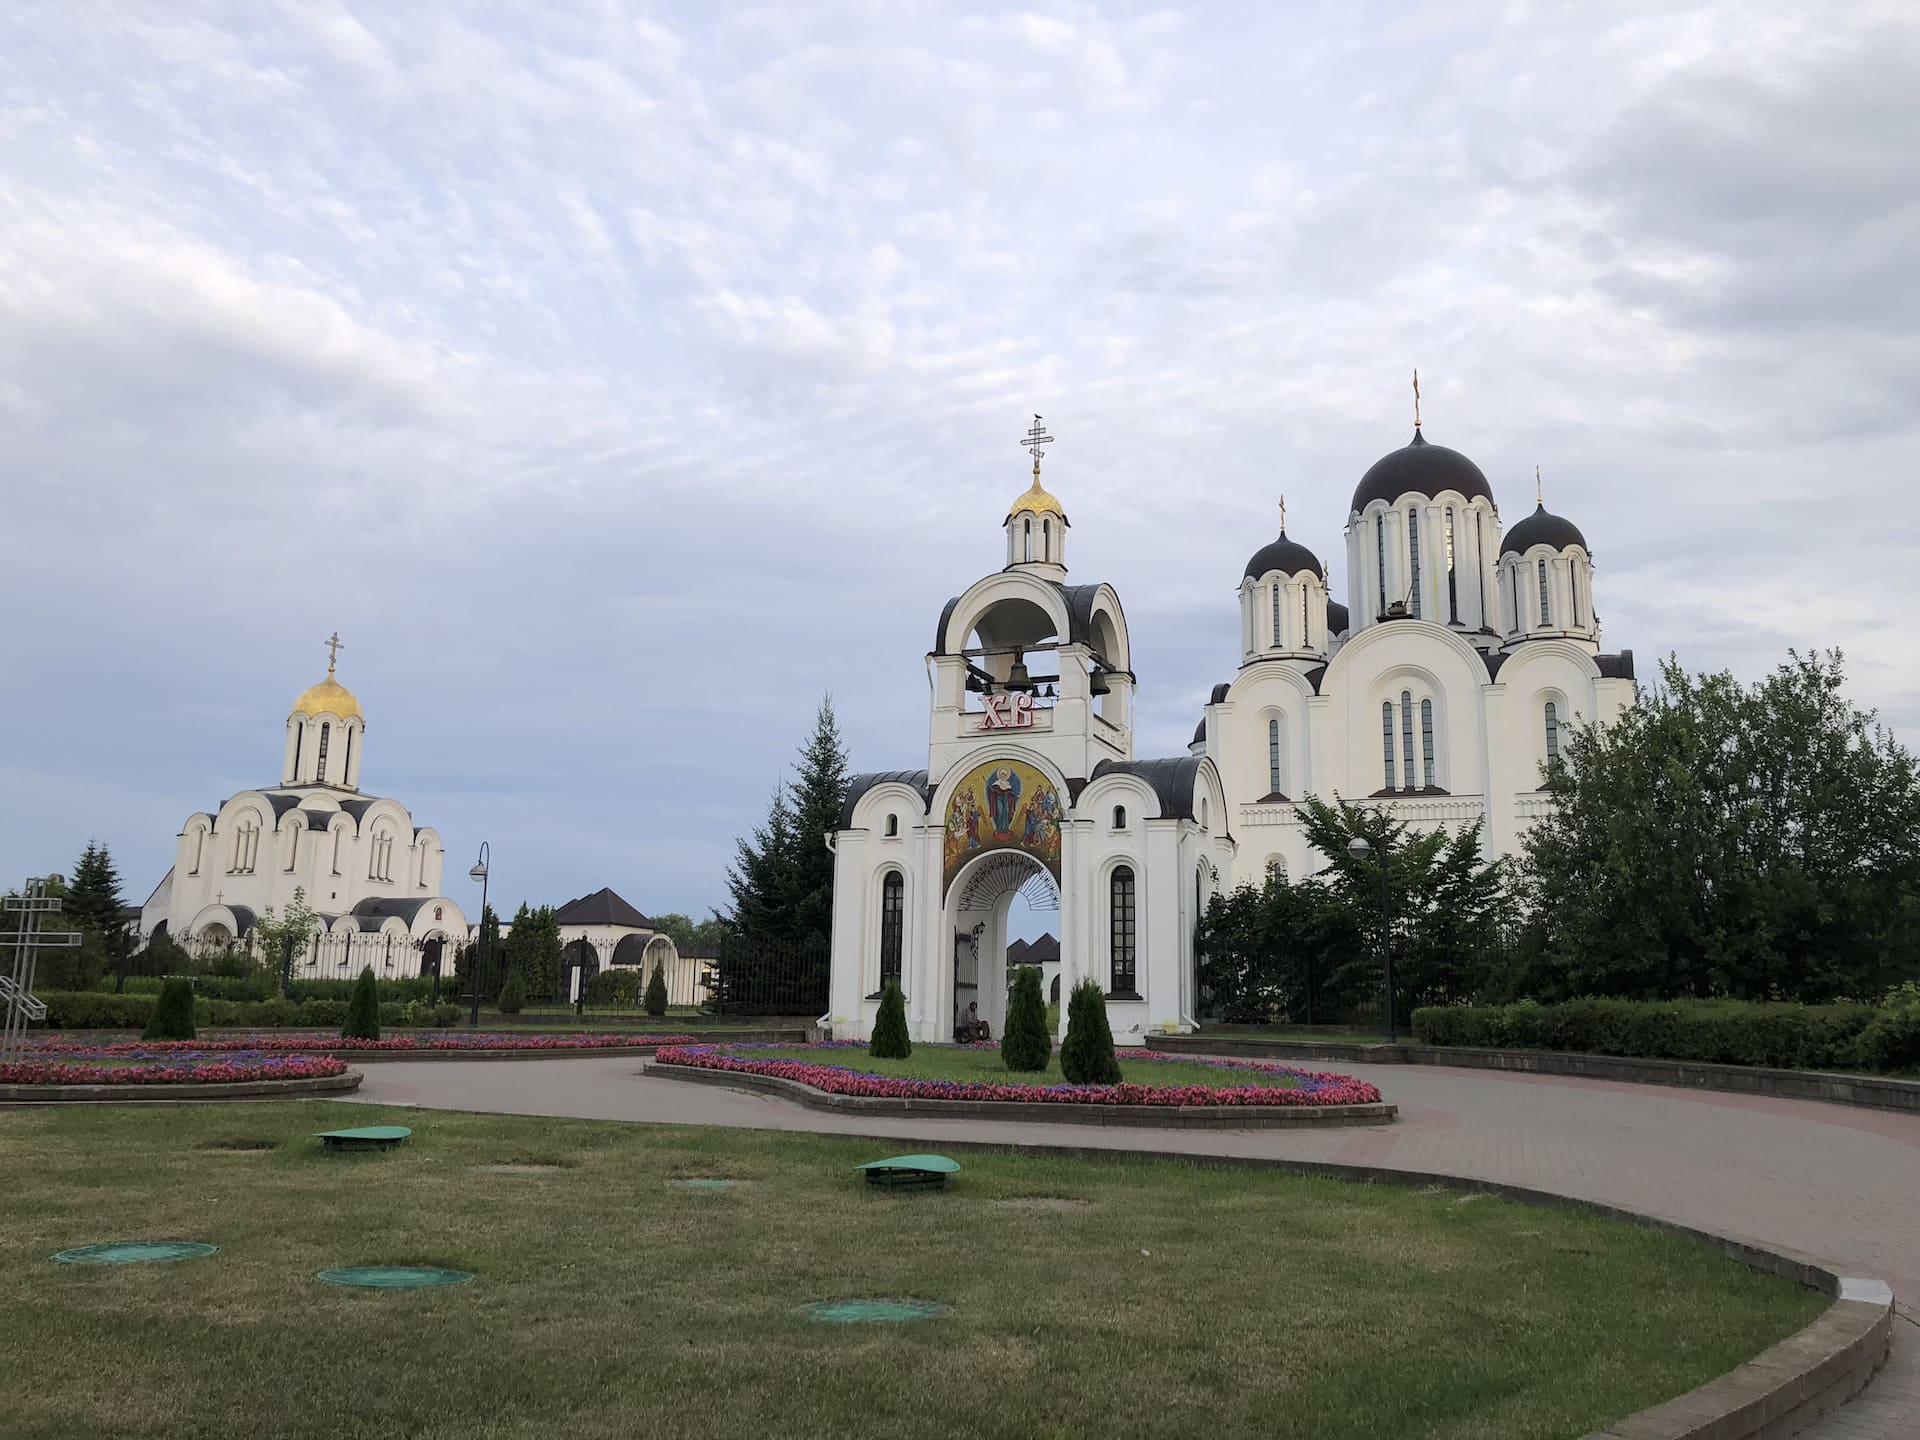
617	379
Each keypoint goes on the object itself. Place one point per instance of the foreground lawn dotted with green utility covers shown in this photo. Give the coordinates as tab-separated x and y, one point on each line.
1178	1301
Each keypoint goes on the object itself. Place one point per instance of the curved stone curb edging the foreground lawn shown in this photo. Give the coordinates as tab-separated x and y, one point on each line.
1773	1397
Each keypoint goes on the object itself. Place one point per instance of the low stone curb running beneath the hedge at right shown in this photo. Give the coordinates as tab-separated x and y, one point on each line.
1869	1092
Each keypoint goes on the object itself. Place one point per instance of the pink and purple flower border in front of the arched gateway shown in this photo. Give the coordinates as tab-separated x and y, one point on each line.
1307	1088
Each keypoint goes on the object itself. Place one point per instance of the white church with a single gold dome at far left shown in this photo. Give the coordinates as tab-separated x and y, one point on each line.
368	873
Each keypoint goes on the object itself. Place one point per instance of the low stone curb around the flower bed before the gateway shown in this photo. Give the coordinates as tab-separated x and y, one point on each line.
1040	1111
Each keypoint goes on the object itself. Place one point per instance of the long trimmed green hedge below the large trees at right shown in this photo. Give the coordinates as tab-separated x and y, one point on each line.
1716	1032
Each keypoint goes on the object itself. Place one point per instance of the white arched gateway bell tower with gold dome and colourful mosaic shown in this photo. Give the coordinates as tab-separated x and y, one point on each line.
1030	780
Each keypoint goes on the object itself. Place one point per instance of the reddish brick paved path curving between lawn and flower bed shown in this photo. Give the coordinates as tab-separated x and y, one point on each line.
1827	1182
